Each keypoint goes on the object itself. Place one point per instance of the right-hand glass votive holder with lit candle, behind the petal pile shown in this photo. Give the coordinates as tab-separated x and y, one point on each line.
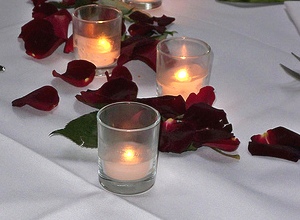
183	66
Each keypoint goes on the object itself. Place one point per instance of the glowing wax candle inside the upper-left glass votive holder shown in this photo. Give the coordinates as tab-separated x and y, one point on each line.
100	51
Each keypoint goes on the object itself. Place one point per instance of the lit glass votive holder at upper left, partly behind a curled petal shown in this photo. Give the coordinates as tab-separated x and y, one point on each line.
97	35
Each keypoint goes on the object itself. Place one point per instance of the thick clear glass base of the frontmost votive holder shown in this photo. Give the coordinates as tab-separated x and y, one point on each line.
127	187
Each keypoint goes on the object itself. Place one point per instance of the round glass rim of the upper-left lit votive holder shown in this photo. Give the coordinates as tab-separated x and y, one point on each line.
75	16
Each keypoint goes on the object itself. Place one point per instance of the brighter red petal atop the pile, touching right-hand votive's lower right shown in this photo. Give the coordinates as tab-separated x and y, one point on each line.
205	95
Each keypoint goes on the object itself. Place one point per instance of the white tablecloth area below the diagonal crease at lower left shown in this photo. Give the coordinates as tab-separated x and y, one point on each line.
31	182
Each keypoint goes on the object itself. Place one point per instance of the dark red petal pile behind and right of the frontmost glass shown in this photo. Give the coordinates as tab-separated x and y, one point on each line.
186	125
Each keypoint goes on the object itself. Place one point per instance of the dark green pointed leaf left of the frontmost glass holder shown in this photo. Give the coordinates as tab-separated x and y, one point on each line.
82	131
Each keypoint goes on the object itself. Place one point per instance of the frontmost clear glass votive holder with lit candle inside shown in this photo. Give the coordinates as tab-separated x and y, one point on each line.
128	135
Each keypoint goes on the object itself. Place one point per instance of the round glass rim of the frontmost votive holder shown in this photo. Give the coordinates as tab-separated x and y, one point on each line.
152	125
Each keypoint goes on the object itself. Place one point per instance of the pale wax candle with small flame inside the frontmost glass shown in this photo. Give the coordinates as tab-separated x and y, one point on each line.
127	161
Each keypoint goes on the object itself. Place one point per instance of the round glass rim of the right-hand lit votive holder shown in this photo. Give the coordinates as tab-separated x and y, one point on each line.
184	38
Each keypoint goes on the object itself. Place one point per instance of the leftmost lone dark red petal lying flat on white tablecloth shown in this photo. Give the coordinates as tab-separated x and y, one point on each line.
45	98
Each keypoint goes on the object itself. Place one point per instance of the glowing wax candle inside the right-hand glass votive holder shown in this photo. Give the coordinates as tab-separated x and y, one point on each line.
182	80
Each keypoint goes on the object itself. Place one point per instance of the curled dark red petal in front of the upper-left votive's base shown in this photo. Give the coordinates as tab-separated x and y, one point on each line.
79	73
